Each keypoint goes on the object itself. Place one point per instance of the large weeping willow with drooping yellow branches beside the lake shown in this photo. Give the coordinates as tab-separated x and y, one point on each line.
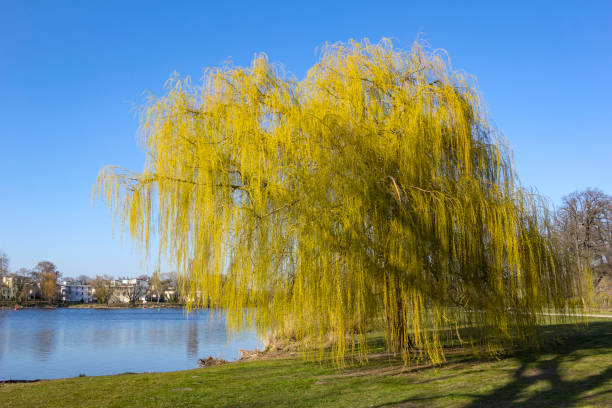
371	194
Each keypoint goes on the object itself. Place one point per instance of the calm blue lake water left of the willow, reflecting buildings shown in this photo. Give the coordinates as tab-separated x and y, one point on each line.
39	343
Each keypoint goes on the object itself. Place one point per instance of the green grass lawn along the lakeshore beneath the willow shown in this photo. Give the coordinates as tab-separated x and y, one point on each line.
574	371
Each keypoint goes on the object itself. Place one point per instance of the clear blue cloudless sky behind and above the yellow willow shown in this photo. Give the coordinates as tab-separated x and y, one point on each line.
71	74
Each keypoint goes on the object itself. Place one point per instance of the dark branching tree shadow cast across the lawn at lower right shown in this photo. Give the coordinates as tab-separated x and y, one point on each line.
544	367
